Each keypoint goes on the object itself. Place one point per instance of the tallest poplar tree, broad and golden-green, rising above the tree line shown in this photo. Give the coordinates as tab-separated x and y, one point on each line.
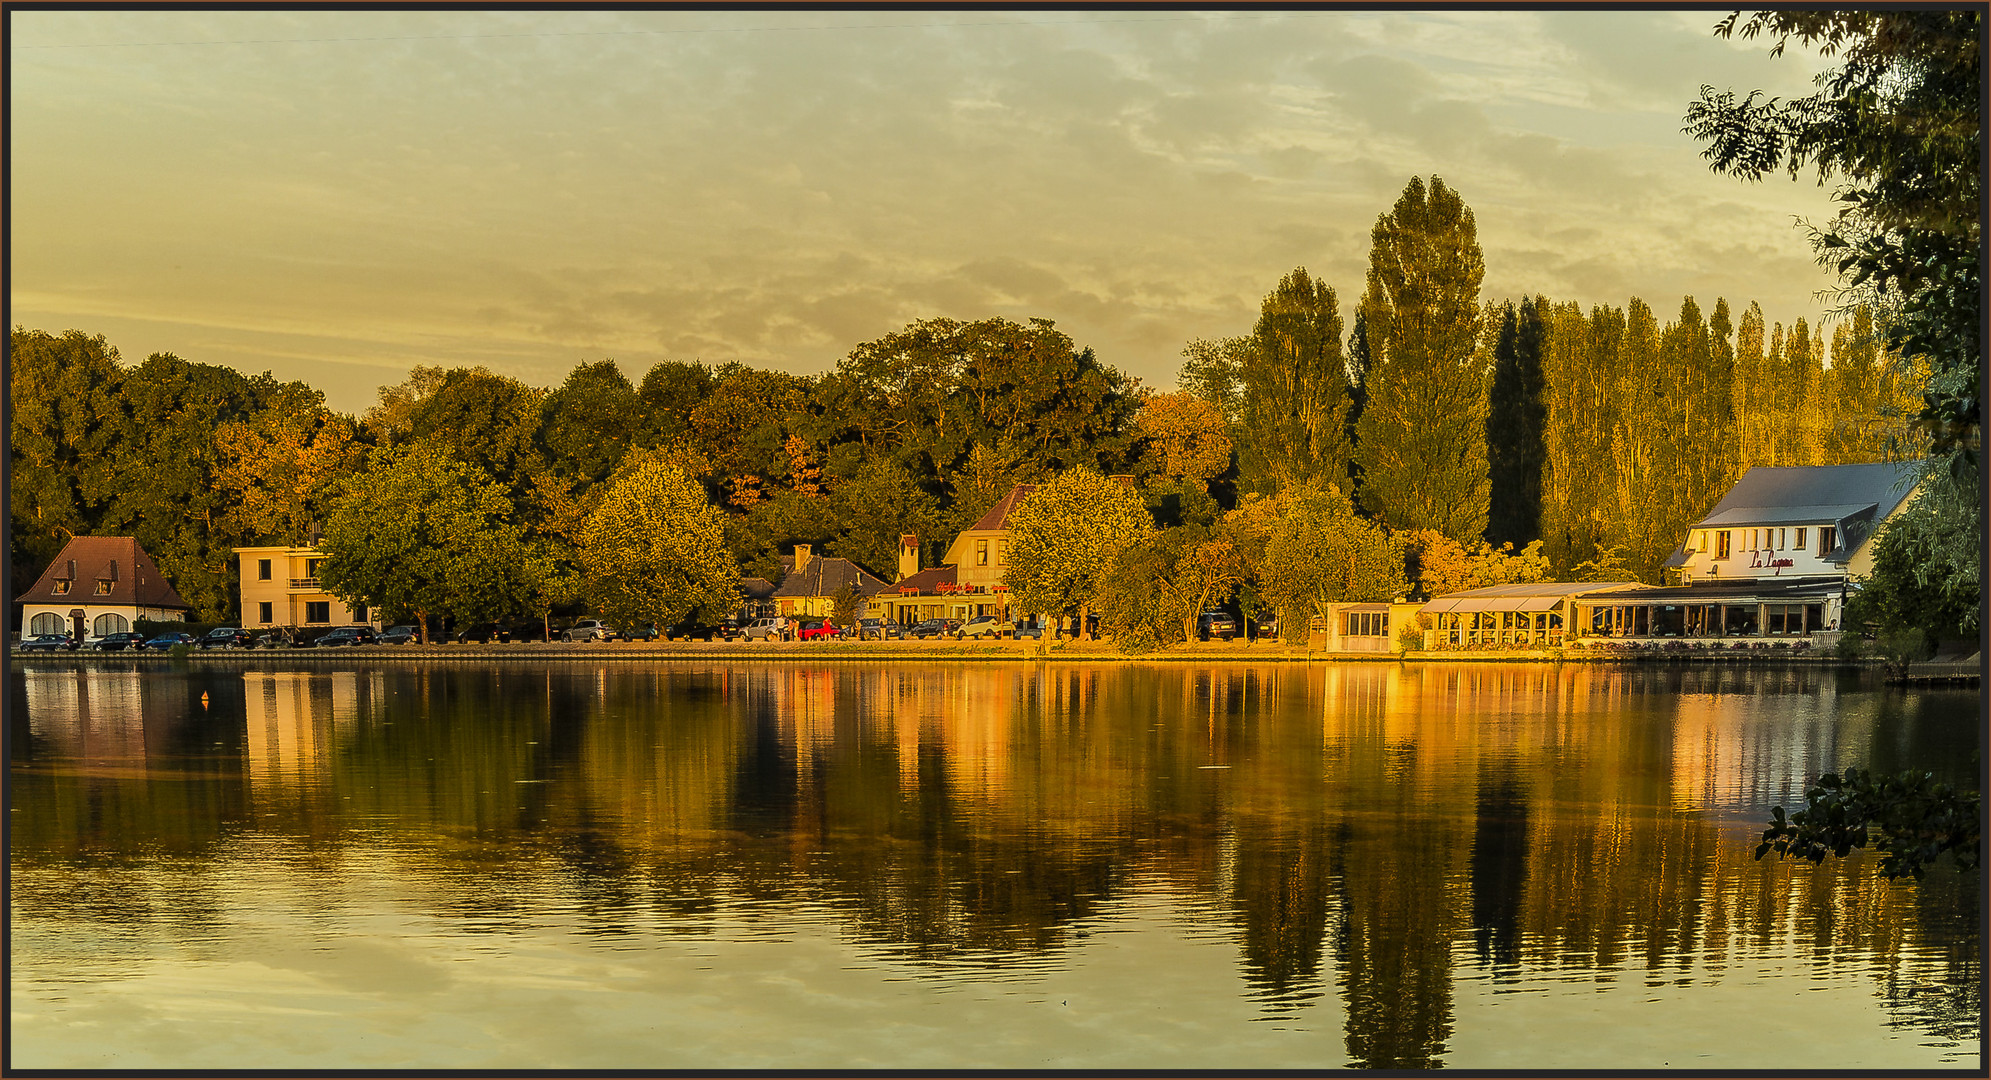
1423	433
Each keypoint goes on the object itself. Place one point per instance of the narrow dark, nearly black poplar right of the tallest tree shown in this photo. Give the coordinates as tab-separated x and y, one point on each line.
1516	419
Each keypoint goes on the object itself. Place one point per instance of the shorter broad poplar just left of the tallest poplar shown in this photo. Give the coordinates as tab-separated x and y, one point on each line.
1295	390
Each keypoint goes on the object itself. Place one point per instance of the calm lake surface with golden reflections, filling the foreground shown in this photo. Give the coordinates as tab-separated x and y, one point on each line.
845	866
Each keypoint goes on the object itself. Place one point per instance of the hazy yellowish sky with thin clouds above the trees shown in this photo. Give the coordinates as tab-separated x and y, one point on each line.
339	196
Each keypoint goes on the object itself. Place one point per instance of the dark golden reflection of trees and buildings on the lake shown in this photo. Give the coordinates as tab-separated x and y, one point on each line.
1373	840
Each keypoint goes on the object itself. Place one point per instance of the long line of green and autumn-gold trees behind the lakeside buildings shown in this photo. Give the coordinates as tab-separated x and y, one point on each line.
1440	443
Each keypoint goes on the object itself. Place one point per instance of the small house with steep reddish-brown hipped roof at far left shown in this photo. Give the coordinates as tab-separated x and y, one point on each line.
97	587
